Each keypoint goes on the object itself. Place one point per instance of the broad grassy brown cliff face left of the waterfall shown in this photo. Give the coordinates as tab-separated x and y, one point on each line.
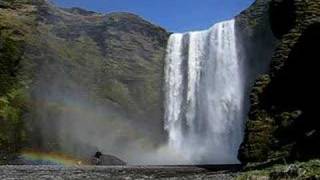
92	66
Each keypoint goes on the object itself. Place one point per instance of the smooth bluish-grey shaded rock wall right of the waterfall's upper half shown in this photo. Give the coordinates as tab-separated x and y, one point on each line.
256	41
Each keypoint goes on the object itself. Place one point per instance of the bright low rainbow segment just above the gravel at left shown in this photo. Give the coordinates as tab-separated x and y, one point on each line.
51	158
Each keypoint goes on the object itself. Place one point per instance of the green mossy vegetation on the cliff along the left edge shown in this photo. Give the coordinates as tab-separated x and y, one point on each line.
14	28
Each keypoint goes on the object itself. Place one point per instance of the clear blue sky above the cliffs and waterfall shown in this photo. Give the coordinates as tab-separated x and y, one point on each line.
173	15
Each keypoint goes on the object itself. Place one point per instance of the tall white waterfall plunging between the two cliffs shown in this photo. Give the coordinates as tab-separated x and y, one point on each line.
204	95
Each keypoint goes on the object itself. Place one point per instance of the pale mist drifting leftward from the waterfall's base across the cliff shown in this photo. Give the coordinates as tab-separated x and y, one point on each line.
68	116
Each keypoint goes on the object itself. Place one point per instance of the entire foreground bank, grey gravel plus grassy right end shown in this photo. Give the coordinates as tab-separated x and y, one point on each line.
298	170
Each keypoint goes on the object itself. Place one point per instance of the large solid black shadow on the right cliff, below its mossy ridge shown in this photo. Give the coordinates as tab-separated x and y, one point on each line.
295	90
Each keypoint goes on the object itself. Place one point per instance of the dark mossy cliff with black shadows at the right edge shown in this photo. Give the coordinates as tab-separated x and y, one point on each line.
283	120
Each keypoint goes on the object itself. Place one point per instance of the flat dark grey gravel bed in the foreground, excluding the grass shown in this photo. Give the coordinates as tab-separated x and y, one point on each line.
108	172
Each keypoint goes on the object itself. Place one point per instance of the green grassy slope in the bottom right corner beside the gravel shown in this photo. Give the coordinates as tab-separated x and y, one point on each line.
298	170
